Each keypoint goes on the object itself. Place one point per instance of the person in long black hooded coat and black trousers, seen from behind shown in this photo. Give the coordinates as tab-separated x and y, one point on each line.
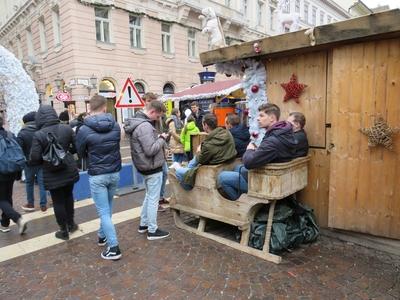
60	182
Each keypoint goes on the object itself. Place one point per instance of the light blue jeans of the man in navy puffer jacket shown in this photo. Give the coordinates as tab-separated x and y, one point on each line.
103	188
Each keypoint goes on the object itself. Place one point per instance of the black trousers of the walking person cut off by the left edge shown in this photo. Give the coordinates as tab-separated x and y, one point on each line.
8	211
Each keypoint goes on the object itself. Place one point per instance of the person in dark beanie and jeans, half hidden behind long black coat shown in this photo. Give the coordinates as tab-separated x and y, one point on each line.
24	139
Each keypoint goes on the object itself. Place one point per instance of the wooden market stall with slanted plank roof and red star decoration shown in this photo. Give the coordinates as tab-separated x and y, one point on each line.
352	75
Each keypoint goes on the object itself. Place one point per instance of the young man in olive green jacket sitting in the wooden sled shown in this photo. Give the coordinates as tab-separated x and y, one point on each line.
217	148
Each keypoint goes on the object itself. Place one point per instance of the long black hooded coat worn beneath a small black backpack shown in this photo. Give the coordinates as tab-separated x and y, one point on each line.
47	121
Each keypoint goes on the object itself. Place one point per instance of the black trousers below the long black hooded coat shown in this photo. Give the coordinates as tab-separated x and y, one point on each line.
63	203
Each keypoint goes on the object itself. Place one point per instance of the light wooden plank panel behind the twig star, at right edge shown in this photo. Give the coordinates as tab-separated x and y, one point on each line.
364	191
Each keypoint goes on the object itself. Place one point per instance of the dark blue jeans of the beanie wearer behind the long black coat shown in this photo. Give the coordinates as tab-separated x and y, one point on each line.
30	173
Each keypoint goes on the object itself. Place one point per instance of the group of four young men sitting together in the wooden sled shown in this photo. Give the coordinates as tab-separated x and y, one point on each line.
283	141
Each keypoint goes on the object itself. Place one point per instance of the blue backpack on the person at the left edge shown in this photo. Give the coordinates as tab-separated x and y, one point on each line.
12	158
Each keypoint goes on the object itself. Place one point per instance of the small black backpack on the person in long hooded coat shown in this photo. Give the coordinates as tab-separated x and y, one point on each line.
54	154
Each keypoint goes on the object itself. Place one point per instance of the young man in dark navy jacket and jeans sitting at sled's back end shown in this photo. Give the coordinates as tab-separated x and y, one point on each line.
278	145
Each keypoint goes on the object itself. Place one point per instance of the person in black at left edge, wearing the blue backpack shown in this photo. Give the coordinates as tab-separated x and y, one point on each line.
6	190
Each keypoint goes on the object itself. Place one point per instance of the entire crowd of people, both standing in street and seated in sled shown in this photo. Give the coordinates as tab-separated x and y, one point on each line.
48	143
